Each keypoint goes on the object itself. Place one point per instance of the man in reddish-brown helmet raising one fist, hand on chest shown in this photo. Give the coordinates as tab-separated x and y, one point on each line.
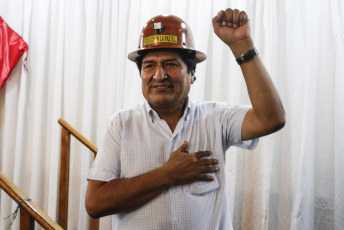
160	164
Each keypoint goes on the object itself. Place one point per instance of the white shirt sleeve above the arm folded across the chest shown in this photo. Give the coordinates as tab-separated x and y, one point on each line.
107	165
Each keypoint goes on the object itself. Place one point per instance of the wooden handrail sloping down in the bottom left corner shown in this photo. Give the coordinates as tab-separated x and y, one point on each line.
29	211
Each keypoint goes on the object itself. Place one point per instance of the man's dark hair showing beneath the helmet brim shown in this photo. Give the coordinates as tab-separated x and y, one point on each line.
188	57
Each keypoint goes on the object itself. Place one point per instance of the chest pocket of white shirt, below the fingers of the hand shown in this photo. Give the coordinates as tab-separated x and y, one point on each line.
204	187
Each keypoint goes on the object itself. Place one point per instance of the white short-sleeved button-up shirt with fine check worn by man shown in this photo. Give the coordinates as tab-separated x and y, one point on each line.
137	141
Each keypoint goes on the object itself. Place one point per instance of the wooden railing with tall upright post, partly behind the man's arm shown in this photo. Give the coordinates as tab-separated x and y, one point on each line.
67	130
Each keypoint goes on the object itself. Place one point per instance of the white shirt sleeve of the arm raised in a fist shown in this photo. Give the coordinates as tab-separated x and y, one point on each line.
232	119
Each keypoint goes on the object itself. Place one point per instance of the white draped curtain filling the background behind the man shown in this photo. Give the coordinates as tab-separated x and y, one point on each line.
79	71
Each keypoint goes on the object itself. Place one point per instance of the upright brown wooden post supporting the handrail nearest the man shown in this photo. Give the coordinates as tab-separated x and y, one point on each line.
64	179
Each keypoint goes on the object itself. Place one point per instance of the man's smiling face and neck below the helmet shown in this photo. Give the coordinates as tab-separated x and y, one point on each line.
166	83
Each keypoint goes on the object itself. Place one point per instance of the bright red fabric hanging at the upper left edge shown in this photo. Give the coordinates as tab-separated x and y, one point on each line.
12	47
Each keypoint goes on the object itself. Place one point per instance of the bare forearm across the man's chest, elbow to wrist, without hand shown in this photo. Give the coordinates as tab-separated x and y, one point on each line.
120	195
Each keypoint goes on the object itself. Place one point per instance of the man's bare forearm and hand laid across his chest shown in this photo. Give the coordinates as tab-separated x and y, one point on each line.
121	195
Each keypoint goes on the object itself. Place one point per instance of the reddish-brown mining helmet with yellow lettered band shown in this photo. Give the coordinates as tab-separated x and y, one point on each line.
166	32
